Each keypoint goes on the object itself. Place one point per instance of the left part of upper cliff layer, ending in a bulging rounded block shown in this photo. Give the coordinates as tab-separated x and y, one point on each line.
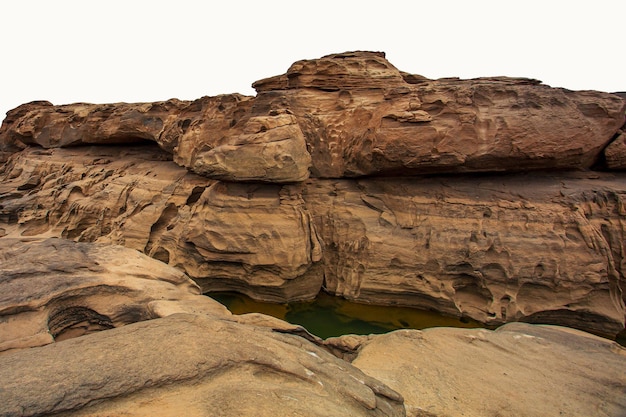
212	136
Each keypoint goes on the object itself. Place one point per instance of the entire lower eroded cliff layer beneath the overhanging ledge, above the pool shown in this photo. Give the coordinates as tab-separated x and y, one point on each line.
537	247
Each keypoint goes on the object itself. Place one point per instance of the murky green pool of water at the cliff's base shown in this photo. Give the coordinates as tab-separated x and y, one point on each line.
329	316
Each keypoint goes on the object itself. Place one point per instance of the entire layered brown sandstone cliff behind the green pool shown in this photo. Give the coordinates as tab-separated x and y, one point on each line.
499	199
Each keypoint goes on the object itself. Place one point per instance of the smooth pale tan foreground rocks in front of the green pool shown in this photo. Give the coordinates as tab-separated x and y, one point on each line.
137	339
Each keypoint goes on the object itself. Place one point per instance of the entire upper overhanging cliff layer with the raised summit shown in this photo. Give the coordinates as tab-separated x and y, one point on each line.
351	114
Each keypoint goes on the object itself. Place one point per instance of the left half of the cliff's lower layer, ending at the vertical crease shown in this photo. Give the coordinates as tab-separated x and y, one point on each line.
255	238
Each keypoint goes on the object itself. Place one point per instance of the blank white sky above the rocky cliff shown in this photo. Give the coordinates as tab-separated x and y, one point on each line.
105	51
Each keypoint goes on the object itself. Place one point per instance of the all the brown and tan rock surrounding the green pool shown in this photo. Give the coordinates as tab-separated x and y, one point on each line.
498	199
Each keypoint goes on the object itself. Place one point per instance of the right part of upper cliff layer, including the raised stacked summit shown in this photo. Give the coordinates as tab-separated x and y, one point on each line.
361	116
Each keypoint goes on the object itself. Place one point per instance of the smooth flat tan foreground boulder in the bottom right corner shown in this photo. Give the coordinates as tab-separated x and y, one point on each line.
518	370
